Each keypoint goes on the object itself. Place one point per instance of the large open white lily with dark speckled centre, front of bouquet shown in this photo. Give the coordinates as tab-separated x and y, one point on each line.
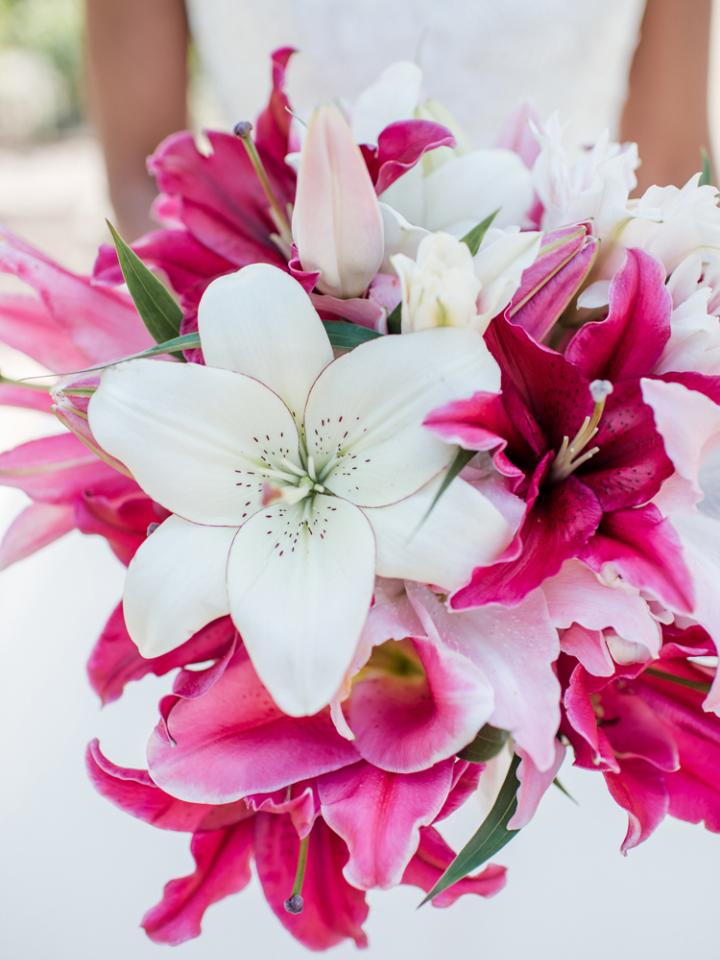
341	447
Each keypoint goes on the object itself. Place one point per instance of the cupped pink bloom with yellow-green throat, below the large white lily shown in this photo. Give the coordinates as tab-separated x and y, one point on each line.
406	723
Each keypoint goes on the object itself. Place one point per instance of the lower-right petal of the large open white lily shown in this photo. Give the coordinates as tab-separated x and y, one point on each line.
464	530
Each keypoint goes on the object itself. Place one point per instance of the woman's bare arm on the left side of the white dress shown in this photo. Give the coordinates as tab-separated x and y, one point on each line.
137	79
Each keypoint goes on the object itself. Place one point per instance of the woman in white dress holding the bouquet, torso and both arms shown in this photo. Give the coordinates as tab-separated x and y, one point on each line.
638	69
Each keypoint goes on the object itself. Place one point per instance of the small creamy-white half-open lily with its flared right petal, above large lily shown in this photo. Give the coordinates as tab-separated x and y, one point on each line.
445	286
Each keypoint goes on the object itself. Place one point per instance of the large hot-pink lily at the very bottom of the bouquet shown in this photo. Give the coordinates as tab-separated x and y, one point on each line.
252	784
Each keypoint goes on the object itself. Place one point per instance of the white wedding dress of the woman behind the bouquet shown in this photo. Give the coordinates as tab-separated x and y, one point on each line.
481	58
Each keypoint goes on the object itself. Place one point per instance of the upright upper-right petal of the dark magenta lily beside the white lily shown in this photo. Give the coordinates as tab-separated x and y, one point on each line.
630	340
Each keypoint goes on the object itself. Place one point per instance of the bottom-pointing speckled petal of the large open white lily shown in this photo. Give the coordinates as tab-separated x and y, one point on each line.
300	581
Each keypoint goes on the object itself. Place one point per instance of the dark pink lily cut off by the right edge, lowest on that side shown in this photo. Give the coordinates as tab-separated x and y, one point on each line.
646	730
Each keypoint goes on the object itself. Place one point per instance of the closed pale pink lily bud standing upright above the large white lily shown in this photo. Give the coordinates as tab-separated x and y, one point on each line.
337	225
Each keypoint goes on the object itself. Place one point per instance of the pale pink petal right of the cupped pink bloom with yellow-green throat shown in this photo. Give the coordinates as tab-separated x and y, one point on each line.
526	689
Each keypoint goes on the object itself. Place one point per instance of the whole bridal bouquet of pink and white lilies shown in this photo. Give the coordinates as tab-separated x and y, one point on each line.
412	453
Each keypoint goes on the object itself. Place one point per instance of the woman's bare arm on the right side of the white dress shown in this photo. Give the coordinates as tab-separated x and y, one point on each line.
667	108
